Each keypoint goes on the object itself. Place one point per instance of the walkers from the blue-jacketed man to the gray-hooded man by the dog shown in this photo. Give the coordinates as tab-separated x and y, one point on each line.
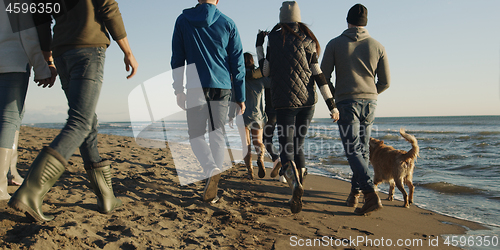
292	68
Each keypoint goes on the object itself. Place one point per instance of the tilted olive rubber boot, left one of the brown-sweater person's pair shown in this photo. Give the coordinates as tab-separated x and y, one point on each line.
47	168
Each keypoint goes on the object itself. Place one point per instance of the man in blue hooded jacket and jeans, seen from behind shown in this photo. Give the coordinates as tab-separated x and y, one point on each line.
209	40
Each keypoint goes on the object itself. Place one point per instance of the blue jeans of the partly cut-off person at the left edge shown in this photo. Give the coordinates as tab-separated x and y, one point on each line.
13	88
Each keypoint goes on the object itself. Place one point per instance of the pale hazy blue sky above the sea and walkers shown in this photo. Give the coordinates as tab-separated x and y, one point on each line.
444	56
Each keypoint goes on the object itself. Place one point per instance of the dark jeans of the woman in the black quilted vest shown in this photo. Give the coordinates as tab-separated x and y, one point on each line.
292	130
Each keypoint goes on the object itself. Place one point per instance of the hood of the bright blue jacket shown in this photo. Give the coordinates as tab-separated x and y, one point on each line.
203	15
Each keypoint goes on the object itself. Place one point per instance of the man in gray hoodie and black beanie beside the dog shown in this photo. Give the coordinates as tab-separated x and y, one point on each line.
357	59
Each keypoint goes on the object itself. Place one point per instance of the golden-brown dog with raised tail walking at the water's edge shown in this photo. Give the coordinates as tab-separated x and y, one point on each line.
394	166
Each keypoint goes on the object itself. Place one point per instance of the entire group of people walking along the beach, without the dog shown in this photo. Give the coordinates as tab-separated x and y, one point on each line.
286	77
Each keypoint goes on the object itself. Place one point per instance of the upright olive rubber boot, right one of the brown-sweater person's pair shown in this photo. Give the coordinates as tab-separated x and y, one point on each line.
99	175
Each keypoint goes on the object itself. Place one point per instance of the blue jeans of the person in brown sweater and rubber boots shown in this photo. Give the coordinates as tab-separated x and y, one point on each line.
81	73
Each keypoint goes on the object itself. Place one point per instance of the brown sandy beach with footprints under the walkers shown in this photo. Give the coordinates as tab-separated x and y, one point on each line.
159	213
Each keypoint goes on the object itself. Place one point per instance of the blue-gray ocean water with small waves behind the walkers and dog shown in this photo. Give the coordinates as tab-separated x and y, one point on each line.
457	173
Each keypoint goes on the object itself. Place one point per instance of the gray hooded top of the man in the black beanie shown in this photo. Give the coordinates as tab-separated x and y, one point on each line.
357	60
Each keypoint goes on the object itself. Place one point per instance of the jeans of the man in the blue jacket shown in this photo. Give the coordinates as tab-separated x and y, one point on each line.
208	106
